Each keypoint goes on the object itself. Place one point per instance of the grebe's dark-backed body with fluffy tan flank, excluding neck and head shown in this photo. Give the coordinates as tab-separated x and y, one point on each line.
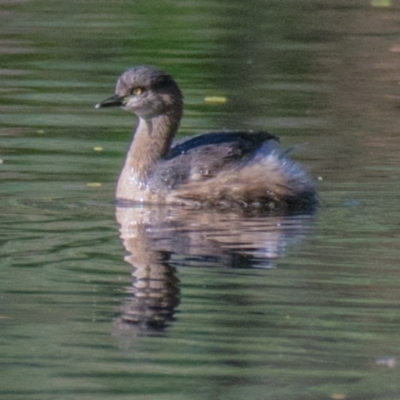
231	169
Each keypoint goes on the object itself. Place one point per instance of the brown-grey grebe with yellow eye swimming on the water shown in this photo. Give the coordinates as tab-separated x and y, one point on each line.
222	169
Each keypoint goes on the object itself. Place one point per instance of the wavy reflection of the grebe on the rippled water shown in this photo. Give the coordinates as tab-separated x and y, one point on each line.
158	239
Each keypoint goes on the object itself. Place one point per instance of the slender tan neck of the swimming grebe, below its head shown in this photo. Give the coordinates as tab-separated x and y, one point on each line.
151	143
